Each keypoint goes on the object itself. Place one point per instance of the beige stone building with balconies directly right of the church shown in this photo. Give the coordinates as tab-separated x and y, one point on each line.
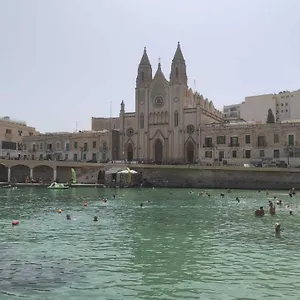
245	143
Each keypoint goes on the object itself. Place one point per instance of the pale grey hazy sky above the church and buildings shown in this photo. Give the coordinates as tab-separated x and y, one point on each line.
63	61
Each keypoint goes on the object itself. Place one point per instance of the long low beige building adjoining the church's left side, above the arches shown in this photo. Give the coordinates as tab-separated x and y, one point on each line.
94	146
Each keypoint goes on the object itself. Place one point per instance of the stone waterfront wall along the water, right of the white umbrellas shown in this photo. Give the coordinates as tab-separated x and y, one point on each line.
242	178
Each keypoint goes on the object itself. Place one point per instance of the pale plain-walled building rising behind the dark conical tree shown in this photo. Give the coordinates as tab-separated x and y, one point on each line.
284	105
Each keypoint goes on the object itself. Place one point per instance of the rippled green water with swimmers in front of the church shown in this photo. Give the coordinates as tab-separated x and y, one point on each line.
178	246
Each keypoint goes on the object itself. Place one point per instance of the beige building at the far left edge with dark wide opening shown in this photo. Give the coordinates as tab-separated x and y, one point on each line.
11	135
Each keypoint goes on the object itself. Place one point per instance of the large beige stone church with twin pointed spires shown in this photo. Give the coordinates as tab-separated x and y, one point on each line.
165	127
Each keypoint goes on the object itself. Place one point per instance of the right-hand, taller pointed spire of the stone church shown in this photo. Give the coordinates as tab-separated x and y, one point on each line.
178	68
